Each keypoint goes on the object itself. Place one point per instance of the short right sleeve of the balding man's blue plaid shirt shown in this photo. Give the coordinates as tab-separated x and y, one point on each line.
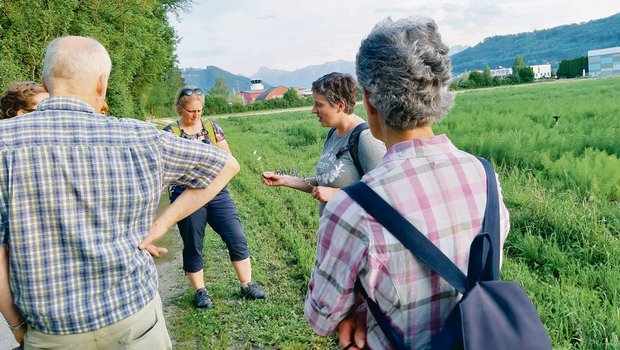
188	163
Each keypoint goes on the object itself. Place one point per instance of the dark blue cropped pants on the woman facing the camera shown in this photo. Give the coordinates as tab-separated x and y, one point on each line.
221	214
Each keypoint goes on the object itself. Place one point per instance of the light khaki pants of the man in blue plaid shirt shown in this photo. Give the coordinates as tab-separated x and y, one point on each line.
146	329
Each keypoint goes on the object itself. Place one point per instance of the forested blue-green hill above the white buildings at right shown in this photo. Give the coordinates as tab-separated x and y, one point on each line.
541	46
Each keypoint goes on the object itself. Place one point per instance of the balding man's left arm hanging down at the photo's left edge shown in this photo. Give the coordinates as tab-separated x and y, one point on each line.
7	307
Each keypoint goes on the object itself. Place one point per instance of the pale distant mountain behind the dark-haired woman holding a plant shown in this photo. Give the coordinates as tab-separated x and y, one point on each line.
304	77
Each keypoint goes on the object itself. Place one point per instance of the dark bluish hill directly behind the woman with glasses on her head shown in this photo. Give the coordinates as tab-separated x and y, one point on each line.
205	78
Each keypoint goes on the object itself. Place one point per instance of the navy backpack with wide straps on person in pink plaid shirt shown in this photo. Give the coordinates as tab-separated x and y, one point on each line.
492	314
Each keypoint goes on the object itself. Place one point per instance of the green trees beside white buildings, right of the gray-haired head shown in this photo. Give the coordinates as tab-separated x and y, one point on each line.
521	74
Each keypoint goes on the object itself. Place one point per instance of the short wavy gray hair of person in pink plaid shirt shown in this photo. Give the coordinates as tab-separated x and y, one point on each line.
405	69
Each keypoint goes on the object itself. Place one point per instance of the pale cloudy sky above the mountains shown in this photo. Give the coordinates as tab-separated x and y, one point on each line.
241	36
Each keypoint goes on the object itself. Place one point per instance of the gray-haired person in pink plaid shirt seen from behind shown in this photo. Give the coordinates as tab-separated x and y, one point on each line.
403	69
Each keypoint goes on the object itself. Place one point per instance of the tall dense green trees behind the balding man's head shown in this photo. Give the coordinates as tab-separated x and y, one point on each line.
137	34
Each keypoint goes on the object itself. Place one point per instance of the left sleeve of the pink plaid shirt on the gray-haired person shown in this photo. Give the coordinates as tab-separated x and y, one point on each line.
339	254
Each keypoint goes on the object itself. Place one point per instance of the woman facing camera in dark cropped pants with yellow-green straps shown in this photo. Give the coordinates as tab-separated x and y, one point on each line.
220	213
